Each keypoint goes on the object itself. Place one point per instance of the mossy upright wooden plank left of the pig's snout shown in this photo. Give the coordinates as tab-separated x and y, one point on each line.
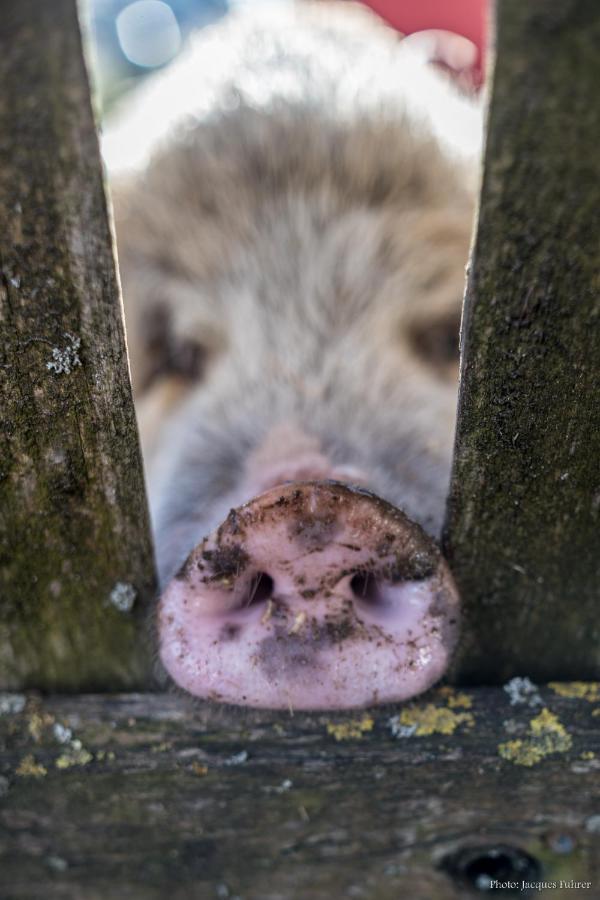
76	563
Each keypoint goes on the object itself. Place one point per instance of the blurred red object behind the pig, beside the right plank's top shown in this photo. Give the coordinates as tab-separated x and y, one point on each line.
439	22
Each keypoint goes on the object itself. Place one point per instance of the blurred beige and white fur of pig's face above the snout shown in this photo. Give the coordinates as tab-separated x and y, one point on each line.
292	236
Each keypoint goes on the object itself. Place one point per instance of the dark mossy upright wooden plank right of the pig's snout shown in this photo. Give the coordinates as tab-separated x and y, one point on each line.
523	523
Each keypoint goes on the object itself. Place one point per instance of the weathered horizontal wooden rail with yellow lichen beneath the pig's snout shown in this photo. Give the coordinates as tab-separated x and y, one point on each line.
147	797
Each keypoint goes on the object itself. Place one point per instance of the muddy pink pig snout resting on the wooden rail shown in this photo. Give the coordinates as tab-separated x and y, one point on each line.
314	595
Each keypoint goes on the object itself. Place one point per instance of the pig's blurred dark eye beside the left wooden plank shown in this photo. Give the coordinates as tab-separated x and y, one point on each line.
167	353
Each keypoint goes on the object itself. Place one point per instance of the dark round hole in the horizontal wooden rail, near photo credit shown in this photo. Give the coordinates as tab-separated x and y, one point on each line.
500	868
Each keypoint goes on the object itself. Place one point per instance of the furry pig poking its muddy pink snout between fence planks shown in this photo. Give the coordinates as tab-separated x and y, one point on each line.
293	208
